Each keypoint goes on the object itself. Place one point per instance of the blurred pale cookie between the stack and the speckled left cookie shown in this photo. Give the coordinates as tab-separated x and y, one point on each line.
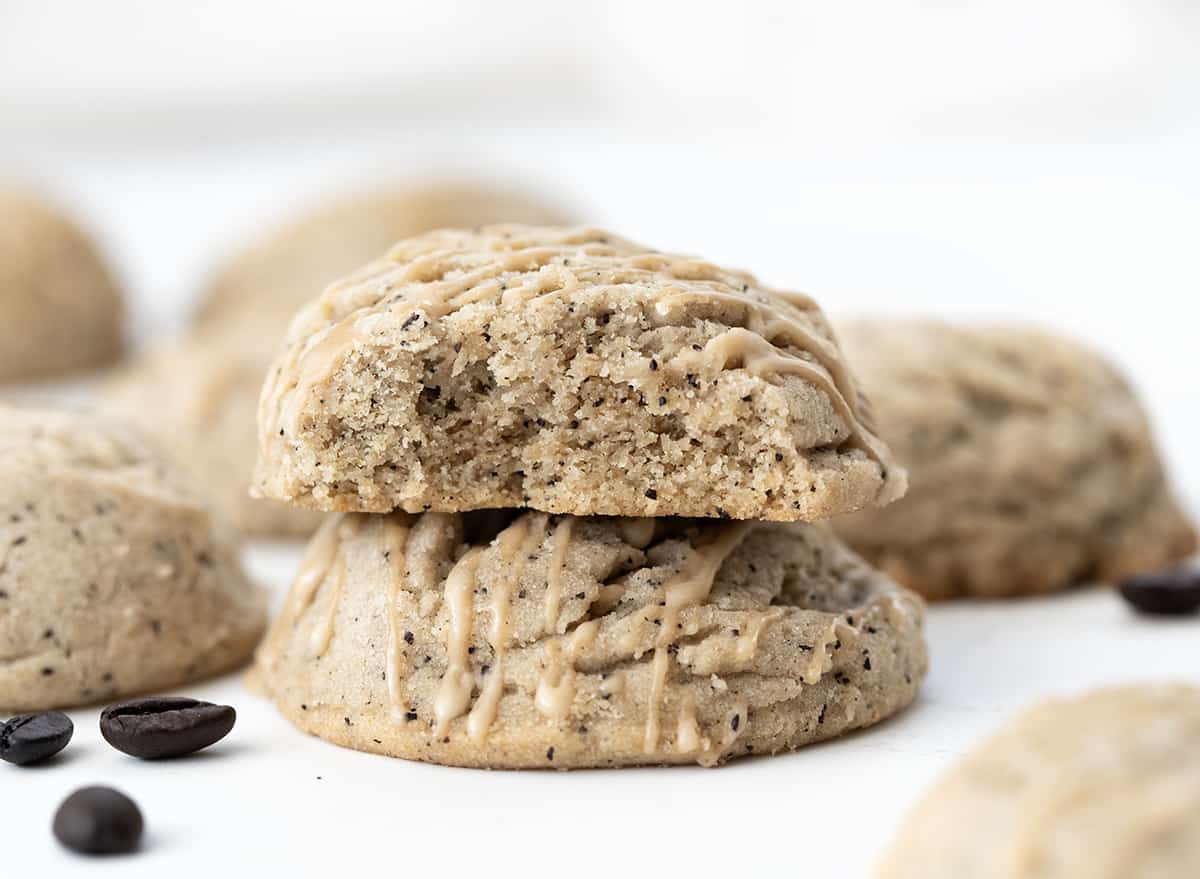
199	398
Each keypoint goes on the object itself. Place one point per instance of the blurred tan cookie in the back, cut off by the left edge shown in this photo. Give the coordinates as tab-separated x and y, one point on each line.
61	310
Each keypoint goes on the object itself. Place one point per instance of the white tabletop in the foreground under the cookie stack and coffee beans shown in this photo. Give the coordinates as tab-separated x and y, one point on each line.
271	802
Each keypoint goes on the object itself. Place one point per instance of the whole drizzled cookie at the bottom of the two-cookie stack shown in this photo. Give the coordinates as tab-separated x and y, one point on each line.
529	641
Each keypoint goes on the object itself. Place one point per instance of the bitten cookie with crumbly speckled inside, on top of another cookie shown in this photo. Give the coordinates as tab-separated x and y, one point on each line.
571	372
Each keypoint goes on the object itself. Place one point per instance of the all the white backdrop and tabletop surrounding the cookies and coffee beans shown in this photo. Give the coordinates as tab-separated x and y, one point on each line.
1027	160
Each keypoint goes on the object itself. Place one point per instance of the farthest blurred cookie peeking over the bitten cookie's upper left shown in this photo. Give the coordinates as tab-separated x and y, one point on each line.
274	278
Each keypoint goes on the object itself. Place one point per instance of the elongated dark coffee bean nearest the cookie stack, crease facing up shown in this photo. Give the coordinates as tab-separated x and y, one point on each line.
160	727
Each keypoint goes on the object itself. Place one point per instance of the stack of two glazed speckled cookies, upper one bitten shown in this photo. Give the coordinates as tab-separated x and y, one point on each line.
578	487
